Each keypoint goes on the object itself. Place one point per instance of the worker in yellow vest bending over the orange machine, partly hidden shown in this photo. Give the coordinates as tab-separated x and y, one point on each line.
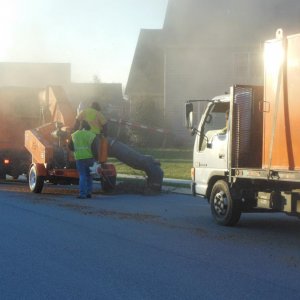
97	122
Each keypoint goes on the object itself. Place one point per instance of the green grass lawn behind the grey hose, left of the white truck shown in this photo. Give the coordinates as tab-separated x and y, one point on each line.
175	163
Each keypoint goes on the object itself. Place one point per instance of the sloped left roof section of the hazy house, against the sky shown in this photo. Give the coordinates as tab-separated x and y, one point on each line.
146	74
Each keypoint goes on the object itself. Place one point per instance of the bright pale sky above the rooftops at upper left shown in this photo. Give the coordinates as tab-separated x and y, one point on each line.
97	37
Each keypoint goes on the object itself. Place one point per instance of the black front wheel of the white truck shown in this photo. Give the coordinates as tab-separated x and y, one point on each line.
226	209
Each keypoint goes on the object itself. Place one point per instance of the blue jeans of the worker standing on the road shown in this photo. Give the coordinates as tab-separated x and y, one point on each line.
85	178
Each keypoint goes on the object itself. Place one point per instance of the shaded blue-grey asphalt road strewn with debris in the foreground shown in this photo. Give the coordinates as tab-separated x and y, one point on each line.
130	246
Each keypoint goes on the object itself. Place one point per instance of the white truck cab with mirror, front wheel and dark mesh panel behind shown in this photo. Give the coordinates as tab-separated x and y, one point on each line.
228	140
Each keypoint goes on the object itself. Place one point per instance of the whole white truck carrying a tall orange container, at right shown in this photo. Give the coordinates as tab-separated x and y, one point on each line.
251	163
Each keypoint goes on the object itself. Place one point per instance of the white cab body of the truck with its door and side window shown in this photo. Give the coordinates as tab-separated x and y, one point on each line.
210	149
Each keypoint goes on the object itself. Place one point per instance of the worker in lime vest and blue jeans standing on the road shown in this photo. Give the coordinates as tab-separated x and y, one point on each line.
83	143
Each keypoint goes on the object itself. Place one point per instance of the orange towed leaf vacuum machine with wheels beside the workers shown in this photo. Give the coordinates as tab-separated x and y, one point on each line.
52	160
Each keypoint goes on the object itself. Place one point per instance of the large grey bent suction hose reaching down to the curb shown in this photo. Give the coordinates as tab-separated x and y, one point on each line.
138	161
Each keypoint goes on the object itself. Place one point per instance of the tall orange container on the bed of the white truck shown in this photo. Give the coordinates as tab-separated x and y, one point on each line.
281	142
